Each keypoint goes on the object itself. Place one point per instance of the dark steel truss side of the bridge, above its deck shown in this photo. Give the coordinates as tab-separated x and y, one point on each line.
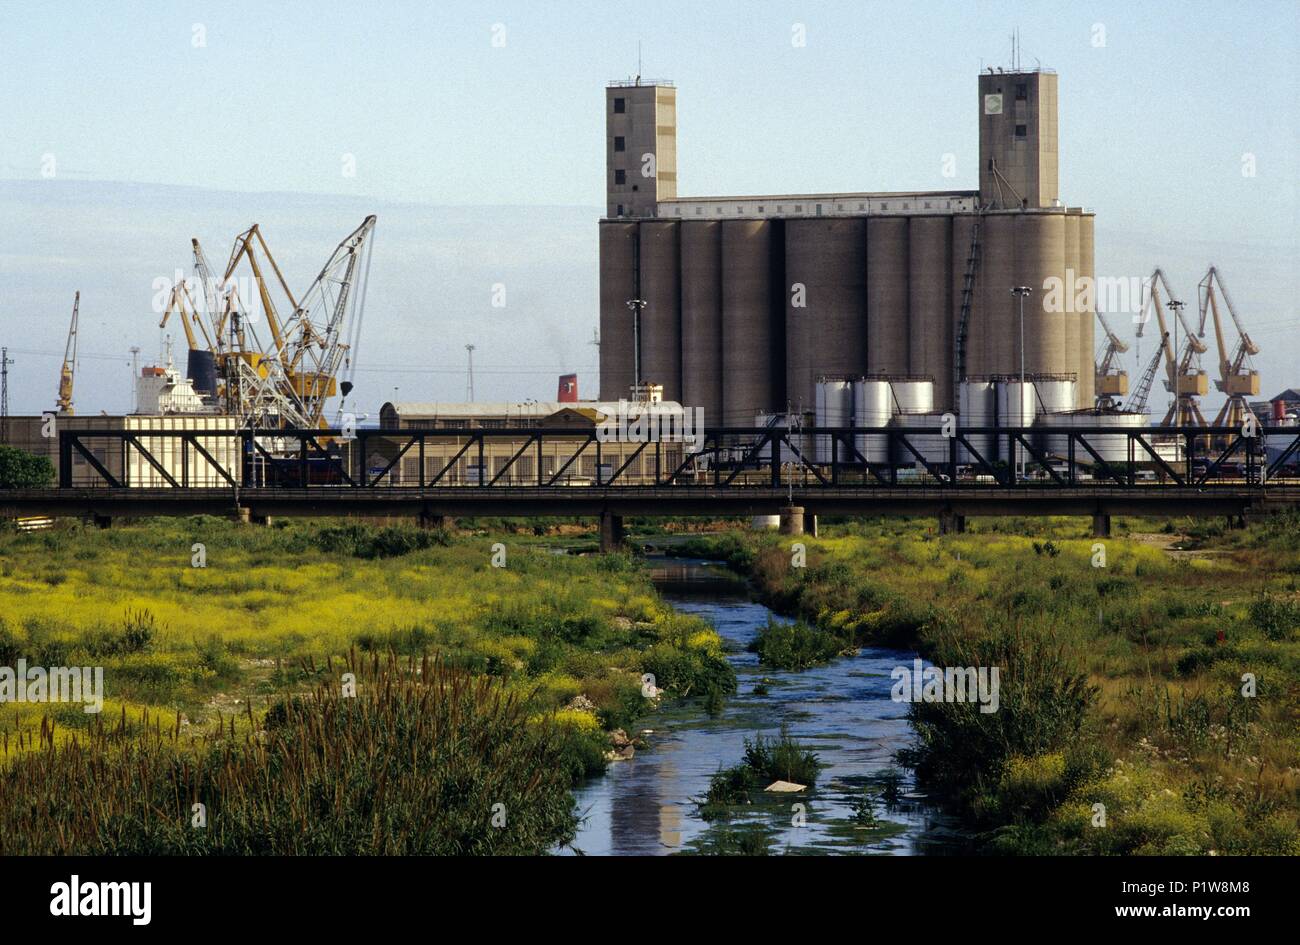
764	458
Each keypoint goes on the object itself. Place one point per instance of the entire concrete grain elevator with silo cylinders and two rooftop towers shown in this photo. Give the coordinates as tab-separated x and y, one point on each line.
743	304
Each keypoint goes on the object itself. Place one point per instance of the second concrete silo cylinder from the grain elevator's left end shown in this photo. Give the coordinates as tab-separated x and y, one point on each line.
661	319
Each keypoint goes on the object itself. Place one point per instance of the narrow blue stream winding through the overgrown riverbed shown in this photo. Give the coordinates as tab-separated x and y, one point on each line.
843	712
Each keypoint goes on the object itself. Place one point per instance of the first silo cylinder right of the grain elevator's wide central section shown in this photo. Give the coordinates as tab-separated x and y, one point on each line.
887	296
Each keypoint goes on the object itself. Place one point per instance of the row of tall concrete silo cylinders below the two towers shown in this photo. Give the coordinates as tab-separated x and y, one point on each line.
743	317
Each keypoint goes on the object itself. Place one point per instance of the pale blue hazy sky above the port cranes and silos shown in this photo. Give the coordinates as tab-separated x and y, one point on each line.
475	131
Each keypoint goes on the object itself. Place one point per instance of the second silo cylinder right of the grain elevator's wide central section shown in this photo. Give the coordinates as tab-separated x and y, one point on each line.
930	324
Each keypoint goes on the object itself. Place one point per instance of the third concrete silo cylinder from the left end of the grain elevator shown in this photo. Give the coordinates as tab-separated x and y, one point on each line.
703	319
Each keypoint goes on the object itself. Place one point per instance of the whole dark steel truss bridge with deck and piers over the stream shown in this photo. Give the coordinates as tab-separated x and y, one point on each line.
435	474
